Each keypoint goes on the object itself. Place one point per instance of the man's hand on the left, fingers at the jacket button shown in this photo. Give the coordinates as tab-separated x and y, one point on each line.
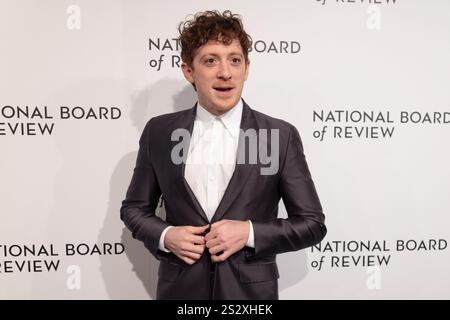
185	242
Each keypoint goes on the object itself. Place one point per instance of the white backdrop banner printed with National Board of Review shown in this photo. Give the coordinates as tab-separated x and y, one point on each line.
365	82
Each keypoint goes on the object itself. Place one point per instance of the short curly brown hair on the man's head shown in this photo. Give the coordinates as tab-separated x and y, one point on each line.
211	25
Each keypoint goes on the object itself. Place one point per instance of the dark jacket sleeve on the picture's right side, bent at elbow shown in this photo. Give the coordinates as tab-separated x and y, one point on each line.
304	226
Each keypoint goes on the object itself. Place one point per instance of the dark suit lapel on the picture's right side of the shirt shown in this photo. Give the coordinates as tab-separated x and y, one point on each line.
242	171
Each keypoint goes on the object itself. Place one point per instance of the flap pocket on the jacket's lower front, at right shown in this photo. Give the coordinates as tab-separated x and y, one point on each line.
258	272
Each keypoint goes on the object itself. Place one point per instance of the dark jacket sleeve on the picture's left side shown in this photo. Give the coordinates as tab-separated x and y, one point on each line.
142	197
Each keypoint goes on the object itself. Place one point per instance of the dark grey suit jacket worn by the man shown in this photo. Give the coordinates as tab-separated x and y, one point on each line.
250	273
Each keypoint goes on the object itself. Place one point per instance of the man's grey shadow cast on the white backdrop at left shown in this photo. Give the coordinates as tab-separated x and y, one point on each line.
150	102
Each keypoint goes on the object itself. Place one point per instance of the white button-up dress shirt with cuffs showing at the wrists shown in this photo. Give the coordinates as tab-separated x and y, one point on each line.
211	160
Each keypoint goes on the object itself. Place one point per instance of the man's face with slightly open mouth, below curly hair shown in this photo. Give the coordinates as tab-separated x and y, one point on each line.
218	72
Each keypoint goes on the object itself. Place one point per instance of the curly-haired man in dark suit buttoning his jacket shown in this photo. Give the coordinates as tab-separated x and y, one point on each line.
221	233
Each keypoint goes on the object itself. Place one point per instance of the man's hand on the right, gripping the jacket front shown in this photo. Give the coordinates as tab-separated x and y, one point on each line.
228	236
